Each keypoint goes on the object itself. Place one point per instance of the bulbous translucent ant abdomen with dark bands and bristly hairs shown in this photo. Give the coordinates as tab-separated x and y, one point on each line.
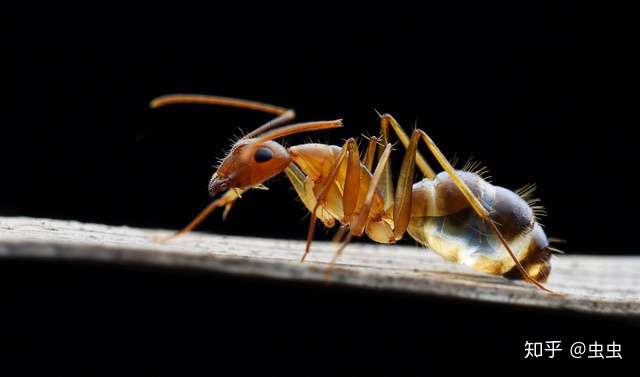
442	220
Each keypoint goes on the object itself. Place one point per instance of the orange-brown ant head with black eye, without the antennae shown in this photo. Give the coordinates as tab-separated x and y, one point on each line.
249	163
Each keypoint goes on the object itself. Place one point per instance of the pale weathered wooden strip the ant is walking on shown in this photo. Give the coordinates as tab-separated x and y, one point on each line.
593	284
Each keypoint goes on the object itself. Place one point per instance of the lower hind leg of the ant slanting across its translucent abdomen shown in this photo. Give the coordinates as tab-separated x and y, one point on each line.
475	203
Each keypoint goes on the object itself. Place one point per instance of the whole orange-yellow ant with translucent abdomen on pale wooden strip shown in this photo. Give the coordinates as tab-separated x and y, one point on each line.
457	213
